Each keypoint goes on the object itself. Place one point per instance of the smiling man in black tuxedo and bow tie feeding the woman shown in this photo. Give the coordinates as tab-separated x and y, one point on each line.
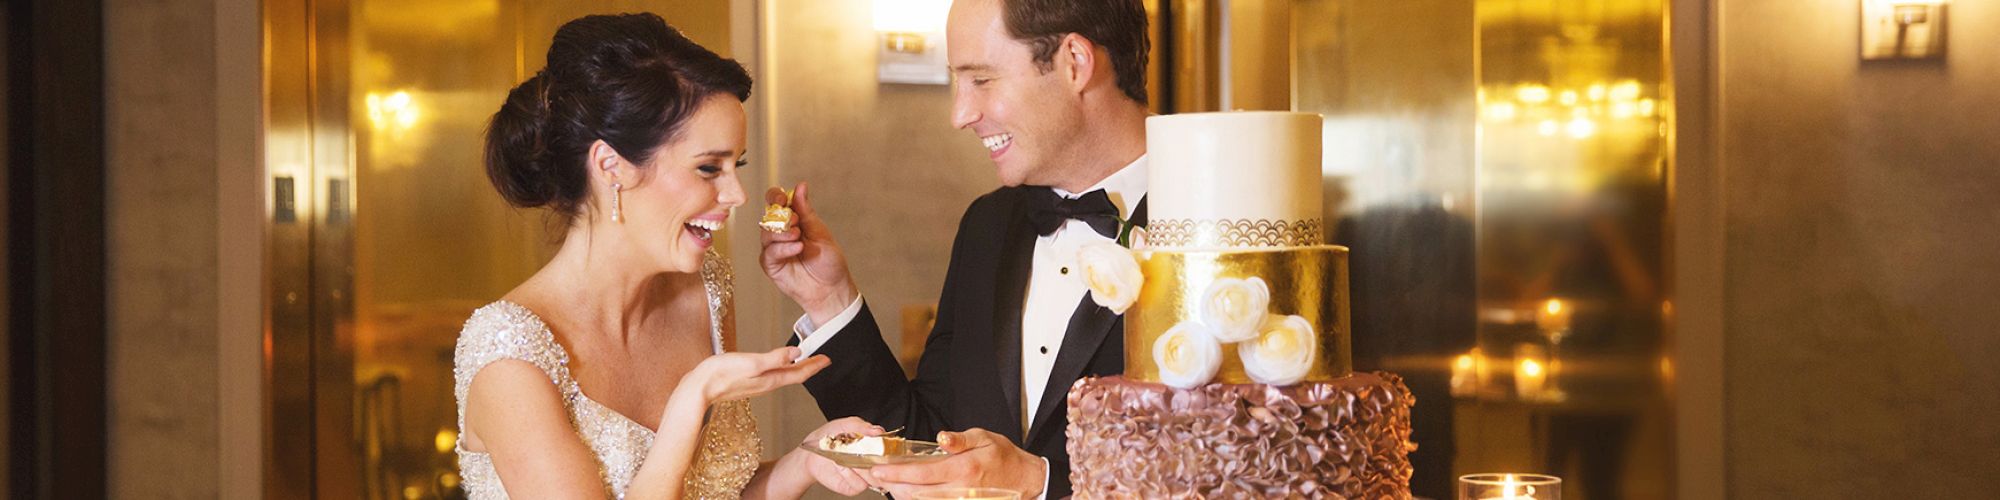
1057	93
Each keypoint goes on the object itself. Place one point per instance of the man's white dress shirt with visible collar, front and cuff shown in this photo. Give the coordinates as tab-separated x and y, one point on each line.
1055	289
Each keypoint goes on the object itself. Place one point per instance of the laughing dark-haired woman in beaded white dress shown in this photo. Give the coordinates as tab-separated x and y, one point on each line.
609	373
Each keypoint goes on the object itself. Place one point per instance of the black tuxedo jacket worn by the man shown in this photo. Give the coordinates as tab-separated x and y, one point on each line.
971	369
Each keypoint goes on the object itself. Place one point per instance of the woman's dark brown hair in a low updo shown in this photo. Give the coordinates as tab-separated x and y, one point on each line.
629	81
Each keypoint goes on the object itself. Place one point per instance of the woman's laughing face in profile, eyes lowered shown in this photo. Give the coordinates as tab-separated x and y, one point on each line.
687	191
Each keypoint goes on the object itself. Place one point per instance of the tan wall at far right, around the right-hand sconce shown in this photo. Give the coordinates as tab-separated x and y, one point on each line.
1861	267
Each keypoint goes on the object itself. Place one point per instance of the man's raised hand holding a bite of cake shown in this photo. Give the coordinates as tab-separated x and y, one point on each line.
805	261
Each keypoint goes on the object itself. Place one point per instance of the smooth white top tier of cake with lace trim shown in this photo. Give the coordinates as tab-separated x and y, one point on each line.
1235	181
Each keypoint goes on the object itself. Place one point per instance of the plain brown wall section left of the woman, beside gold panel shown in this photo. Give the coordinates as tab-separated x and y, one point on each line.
179	135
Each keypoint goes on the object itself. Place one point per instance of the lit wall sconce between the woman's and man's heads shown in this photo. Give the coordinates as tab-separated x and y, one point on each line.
911	41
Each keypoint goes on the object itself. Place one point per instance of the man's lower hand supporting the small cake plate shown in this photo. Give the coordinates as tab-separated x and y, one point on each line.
979	459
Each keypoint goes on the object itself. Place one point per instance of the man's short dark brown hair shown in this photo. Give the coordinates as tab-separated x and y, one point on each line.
1115	25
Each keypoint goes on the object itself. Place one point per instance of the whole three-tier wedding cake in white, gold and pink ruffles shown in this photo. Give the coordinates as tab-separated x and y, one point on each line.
1237	375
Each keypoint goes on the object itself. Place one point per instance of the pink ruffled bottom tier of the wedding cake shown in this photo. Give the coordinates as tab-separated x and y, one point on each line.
1345	439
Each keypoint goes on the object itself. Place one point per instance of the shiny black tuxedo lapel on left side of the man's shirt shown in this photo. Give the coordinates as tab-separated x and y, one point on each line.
1017	261
